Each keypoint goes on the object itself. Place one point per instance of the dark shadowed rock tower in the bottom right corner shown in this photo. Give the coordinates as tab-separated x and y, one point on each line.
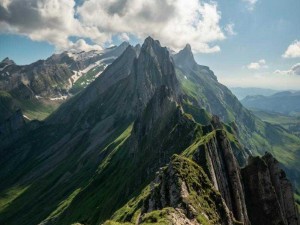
269	194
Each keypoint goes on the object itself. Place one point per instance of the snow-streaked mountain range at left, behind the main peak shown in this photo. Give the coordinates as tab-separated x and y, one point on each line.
39	88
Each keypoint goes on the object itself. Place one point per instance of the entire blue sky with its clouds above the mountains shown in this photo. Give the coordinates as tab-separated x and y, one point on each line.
242	41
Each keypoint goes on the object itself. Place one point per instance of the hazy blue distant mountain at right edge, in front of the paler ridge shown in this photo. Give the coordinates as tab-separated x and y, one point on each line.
286	102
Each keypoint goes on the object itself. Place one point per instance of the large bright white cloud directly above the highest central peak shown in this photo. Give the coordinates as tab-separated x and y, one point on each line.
174	23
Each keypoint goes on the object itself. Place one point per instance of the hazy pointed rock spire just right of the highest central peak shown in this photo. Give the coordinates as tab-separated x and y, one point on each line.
185	58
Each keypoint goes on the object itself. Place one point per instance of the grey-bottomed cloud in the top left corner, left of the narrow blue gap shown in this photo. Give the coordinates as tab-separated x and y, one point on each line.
44	20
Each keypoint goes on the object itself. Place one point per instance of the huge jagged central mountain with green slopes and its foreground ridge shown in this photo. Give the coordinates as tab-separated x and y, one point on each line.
154	140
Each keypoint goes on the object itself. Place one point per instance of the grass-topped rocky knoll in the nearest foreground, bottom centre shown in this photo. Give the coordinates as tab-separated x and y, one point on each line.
184	186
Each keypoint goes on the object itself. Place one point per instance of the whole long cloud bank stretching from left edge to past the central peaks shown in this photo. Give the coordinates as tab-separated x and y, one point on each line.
173	22
